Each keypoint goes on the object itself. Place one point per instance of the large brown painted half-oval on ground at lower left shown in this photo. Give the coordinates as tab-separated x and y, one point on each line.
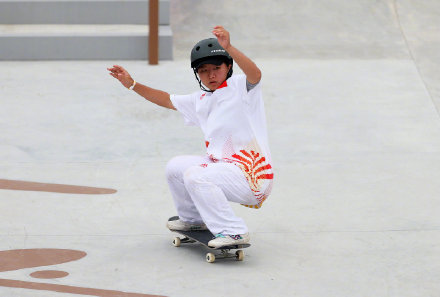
27	258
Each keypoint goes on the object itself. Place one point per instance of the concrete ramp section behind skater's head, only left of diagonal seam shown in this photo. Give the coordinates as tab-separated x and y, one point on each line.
297	29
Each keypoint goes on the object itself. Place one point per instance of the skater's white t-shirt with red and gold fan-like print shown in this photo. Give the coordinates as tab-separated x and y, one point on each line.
233	122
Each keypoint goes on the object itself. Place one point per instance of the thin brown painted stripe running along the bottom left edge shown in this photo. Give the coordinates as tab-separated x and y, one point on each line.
10	283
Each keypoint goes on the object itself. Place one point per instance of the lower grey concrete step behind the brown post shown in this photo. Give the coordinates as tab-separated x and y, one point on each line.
81	42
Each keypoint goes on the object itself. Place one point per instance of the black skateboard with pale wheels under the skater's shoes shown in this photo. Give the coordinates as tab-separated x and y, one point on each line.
203	237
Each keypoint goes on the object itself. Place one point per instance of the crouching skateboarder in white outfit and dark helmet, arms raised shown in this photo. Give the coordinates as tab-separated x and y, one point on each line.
230	112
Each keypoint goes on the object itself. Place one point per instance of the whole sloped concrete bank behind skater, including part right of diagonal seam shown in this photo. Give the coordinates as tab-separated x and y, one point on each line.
384	29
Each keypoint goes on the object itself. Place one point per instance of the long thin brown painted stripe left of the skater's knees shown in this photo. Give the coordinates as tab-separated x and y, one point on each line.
19	185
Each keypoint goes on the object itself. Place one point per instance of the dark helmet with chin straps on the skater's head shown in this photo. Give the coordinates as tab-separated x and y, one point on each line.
209	51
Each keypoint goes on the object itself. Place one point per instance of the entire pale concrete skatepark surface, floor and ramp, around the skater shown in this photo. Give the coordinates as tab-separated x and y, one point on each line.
352	96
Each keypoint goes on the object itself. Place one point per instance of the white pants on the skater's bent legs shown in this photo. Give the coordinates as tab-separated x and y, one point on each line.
202	189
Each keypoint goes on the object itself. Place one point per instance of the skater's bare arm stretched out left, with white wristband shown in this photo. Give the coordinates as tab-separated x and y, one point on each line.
158	97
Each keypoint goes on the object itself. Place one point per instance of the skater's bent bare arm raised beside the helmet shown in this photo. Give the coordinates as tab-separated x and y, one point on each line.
250	69
